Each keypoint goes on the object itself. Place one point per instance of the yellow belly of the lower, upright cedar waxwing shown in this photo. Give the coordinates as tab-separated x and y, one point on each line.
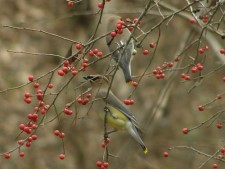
115	118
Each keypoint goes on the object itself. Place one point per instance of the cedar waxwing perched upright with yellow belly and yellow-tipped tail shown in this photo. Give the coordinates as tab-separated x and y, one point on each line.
117	115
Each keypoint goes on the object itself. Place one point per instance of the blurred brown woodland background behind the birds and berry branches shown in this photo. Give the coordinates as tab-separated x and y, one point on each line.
163	107
